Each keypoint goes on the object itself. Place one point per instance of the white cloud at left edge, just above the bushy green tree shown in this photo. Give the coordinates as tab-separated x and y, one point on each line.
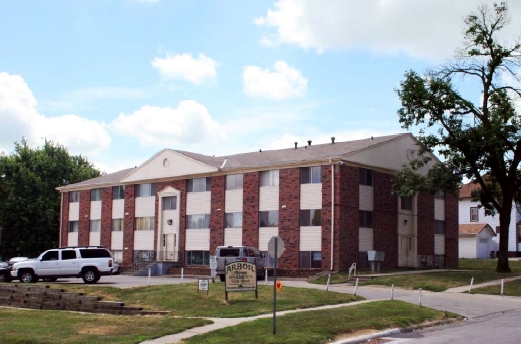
20	118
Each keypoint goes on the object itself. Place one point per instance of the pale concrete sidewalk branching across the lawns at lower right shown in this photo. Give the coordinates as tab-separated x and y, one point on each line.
453	300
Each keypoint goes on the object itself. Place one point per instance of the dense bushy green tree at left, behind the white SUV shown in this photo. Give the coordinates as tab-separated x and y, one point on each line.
29	201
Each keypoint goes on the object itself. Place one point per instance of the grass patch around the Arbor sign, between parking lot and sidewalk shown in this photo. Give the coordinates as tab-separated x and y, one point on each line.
186	300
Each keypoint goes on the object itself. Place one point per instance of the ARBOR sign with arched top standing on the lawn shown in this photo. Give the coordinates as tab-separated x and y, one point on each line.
240	276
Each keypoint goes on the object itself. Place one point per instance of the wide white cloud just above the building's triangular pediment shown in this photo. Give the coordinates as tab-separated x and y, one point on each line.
190	122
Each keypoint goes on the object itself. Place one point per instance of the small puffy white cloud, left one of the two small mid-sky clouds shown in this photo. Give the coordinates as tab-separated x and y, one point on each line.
185	67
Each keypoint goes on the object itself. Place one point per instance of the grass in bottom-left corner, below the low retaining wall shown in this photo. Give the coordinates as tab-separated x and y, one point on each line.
55	327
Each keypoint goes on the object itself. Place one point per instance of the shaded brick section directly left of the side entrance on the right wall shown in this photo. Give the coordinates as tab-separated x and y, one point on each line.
385	233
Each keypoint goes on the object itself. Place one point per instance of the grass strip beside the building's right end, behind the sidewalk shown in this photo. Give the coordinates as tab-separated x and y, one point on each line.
483	270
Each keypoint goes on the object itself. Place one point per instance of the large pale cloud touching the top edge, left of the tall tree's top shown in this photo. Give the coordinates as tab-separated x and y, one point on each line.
429	29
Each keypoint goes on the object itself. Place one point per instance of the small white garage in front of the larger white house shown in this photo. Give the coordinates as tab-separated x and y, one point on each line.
475	240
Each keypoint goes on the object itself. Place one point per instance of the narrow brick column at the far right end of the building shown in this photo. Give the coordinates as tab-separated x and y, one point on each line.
451	231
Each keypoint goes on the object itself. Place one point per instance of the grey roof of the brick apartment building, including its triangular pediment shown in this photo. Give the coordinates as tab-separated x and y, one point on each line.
169	163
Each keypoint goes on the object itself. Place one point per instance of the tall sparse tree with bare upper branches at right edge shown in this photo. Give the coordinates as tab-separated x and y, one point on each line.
480	141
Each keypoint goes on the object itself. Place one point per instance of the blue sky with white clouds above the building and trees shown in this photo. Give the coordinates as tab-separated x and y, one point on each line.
119	80
